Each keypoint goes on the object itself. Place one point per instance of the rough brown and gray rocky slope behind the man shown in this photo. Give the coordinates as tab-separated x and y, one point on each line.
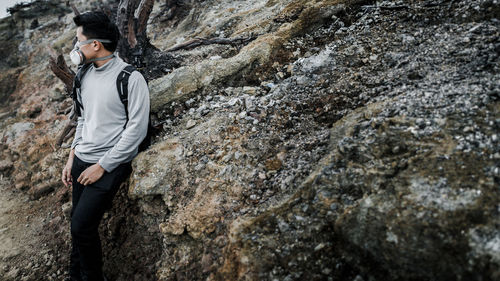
341	140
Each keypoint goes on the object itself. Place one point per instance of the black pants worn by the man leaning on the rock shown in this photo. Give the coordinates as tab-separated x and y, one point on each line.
89	204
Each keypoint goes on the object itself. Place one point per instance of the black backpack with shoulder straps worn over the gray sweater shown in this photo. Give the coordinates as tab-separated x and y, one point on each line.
122	87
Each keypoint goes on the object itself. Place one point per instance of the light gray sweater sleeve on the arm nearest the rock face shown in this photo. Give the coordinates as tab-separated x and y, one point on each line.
137	126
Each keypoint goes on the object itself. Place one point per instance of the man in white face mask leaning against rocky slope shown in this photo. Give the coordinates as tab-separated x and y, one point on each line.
105	141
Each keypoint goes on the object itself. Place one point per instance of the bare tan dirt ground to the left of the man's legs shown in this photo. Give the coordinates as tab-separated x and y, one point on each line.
26	225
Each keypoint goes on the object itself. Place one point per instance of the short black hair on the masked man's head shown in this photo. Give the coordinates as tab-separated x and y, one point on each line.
96	25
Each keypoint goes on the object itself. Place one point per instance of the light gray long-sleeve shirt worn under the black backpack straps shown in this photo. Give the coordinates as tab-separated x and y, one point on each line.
100	136
